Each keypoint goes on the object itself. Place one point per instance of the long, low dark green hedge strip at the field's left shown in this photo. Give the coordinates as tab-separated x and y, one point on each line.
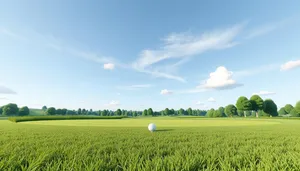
43	118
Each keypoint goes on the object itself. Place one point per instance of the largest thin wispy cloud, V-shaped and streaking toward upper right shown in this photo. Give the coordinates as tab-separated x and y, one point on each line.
184	45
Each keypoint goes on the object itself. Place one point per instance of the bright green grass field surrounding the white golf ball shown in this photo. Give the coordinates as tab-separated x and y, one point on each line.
126	144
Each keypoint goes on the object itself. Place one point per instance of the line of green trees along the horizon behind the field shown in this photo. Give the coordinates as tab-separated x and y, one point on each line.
255	106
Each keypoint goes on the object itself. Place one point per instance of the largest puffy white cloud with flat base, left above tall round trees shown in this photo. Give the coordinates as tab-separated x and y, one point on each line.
220	79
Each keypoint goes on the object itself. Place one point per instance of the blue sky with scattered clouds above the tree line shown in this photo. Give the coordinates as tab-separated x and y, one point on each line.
139	54
